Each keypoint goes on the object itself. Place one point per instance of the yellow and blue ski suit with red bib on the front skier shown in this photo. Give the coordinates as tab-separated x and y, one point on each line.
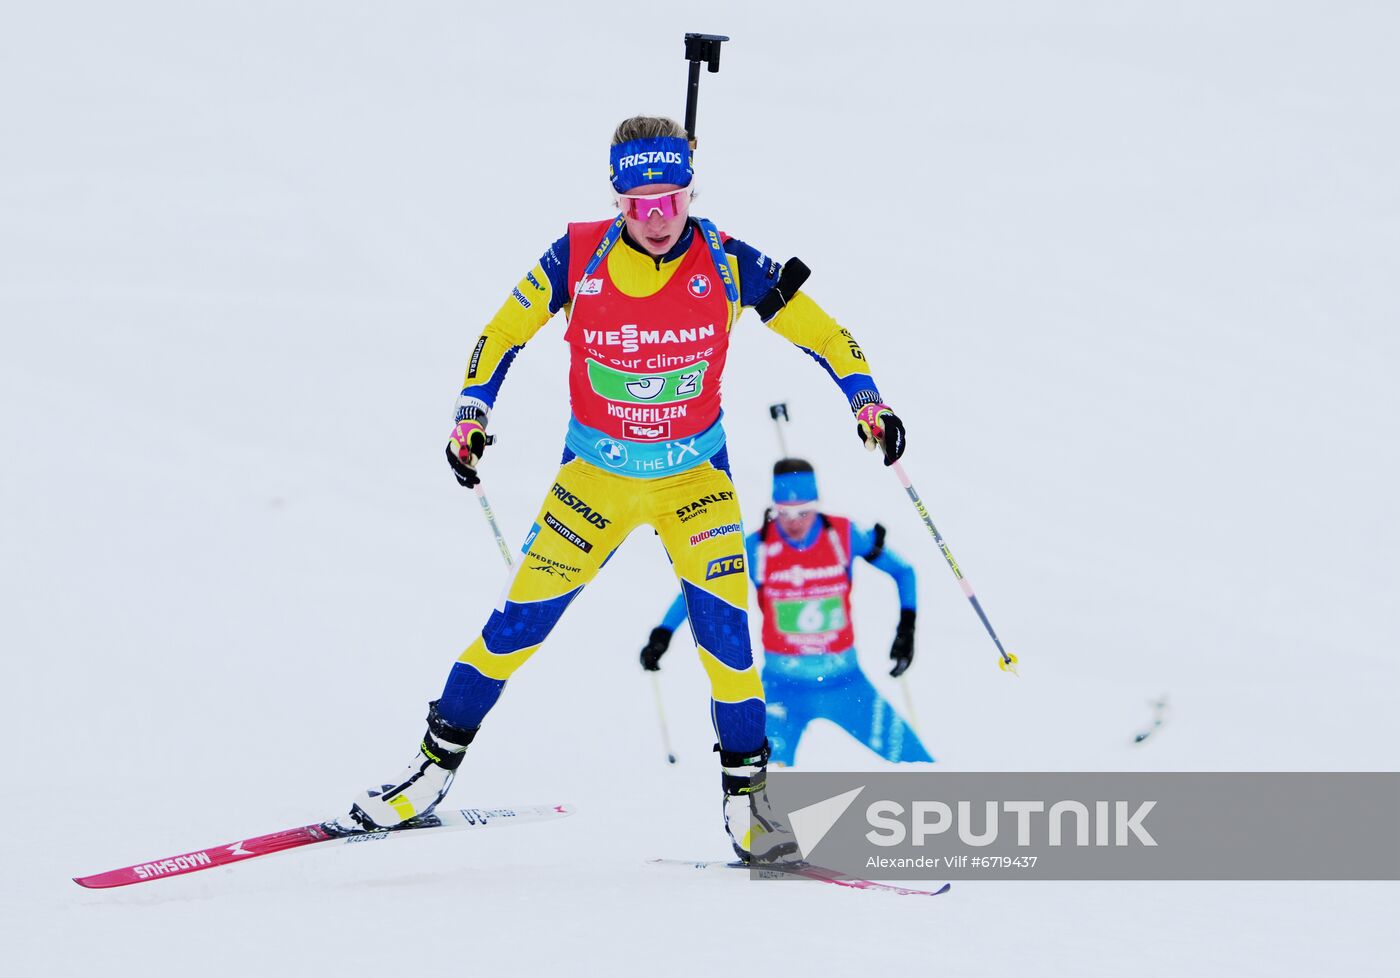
645	444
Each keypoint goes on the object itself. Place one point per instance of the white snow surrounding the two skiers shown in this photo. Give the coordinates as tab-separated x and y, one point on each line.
1126	269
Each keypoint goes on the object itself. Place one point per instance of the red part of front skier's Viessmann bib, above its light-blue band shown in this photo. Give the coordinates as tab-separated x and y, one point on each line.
647	369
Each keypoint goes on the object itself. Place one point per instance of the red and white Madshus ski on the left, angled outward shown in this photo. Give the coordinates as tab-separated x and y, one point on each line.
321	833
